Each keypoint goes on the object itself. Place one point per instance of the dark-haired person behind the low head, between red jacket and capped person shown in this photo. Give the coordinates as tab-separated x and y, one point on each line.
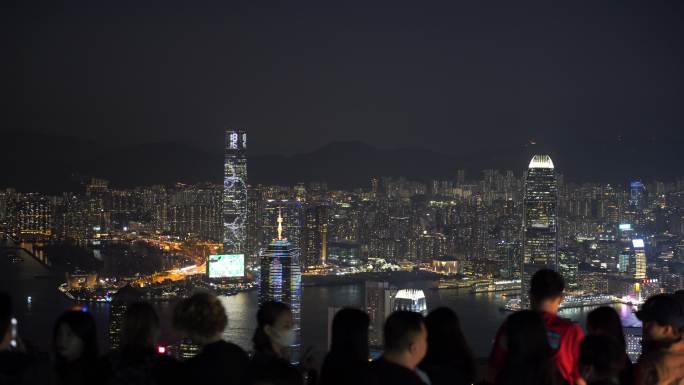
605	321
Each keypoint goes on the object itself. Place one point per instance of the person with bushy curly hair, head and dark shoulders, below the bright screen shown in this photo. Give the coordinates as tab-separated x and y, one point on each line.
203	318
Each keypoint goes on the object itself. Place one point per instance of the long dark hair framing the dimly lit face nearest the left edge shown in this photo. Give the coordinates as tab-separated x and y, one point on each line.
82	325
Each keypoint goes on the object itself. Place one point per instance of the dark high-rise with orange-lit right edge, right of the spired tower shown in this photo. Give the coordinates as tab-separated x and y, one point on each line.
315	247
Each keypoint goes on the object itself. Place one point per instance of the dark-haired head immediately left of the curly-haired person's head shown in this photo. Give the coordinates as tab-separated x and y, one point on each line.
140	329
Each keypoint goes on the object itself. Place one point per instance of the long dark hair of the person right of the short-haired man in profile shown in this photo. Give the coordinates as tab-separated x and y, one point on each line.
447	347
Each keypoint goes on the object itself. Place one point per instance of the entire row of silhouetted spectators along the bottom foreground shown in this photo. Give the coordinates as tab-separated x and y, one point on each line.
533	346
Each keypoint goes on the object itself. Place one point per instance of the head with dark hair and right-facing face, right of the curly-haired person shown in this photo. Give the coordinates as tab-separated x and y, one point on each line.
275	328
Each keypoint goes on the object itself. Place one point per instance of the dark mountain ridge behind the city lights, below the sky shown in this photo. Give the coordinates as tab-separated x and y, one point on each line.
52	164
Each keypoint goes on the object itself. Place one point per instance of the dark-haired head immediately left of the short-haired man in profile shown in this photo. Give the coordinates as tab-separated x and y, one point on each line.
350	334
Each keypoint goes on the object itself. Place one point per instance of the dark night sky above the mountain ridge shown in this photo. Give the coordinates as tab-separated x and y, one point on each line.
445	76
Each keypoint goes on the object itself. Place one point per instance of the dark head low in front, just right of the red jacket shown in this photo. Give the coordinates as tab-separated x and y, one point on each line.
602	357
